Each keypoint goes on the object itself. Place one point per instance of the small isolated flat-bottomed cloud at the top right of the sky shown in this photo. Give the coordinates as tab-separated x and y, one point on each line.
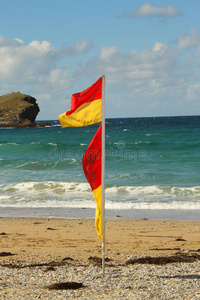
148	10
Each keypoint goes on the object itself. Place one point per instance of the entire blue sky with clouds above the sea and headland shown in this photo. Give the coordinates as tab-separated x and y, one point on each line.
149	52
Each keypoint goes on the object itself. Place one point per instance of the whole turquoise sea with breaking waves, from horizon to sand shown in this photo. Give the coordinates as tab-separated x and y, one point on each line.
152	170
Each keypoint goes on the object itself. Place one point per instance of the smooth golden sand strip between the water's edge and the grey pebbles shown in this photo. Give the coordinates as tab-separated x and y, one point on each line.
37	239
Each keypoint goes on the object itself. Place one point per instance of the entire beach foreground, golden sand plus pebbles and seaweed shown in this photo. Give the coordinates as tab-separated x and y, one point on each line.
36	253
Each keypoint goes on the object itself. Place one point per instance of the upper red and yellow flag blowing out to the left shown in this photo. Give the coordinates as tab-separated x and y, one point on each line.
85	107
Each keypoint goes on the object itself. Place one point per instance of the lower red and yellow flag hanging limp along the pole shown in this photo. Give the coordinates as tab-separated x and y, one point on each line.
92	168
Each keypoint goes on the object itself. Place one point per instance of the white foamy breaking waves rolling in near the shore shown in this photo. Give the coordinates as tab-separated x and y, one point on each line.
79	194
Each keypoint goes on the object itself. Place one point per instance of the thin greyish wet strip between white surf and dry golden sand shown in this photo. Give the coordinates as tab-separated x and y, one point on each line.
110	214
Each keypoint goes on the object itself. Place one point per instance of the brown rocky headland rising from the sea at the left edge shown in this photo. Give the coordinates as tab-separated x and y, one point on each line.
18	110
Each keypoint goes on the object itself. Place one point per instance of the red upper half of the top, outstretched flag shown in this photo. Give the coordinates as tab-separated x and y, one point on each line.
94	92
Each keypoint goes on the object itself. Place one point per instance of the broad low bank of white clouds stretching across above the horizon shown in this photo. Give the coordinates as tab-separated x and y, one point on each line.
155	78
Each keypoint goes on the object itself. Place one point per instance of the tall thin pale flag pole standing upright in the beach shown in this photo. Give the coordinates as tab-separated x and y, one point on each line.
103	176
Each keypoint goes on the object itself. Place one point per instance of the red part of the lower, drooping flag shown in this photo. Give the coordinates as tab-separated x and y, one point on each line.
92	160
